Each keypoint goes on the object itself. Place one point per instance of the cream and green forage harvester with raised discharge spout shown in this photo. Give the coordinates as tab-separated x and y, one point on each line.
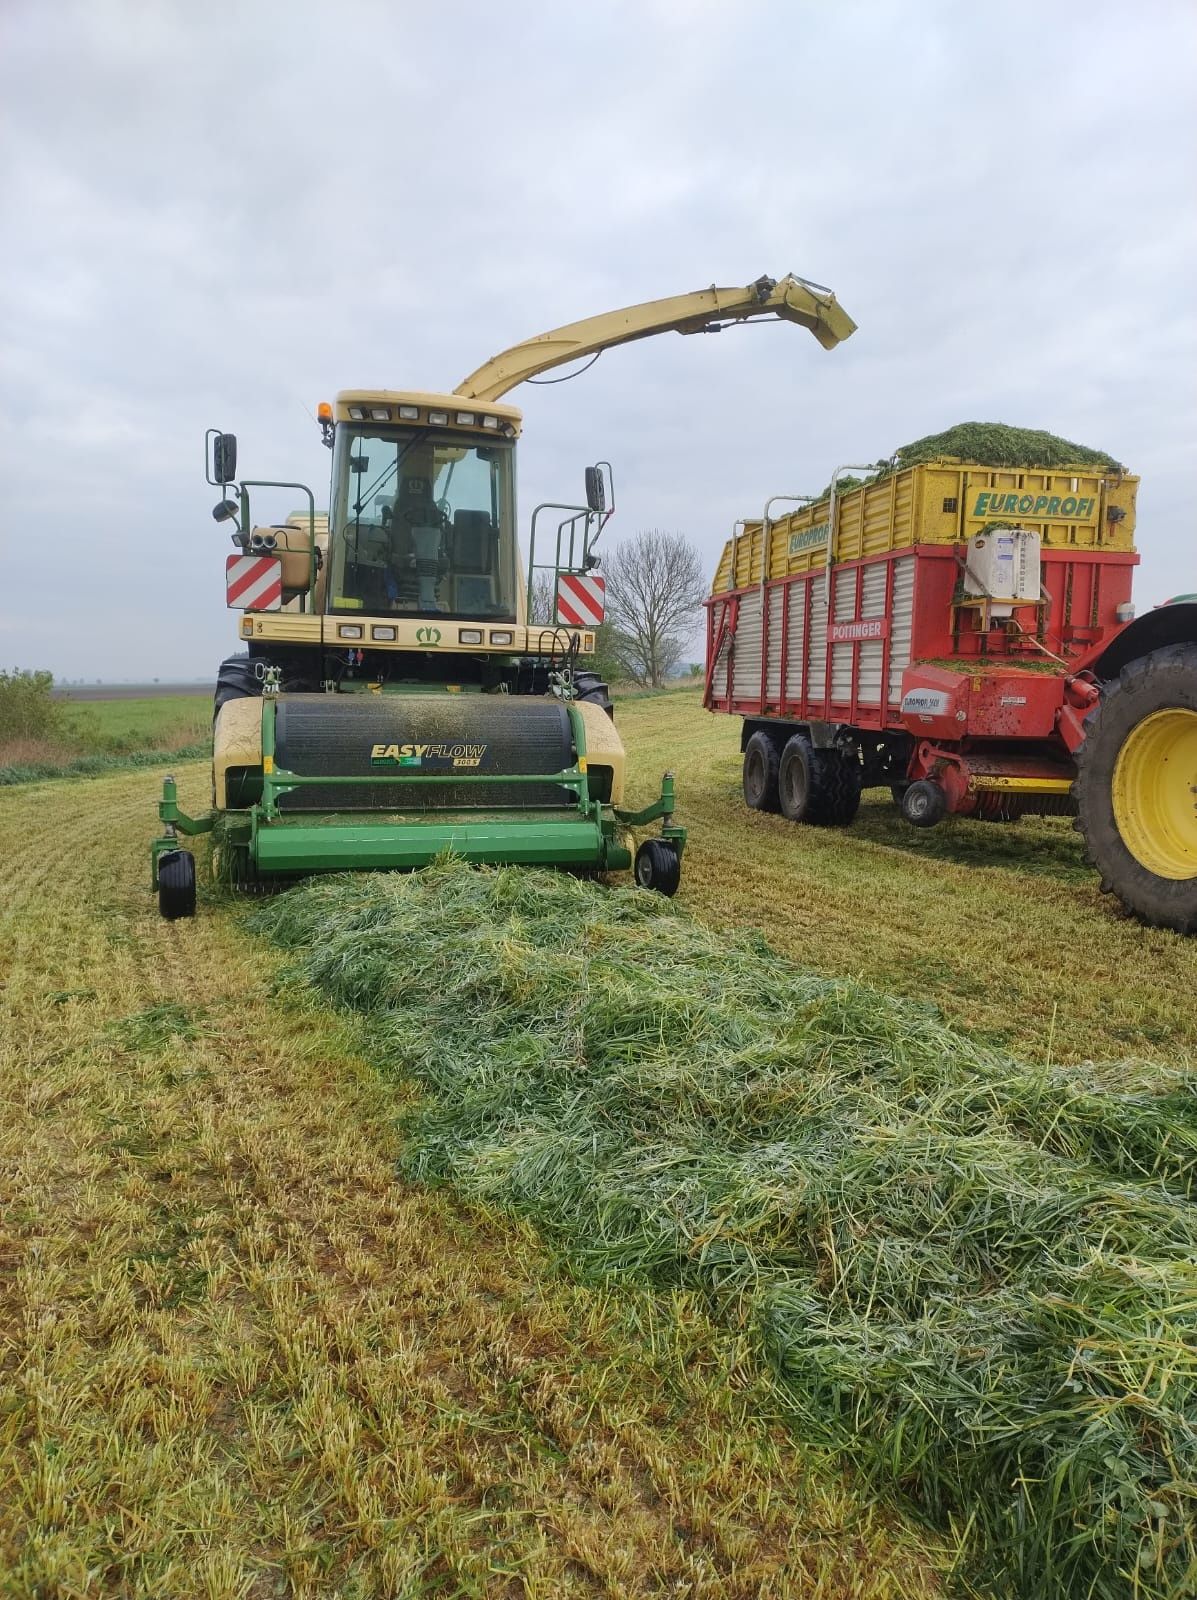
404	689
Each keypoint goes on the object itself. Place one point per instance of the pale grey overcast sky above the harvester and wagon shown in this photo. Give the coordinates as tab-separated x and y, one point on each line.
222	215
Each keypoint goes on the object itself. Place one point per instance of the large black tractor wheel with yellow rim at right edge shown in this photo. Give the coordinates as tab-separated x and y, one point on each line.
1137	788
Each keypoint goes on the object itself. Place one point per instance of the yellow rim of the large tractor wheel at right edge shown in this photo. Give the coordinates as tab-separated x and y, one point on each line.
1156	793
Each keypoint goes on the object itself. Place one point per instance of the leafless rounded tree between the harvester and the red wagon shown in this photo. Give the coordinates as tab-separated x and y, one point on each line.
655	585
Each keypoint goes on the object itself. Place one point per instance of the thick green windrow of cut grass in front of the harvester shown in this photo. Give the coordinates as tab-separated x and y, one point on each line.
974	1276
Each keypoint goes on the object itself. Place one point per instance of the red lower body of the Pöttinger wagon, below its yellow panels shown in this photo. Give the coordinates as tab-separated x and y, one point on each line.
887	657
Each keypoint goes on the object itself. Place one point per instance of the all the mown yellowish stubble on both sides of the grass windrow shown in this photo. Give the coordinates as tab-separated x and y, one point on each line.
242	1358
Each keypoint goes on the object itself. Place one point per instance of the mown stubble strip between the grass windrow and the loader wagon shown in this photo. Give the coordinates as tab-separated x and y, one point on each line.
999	926
